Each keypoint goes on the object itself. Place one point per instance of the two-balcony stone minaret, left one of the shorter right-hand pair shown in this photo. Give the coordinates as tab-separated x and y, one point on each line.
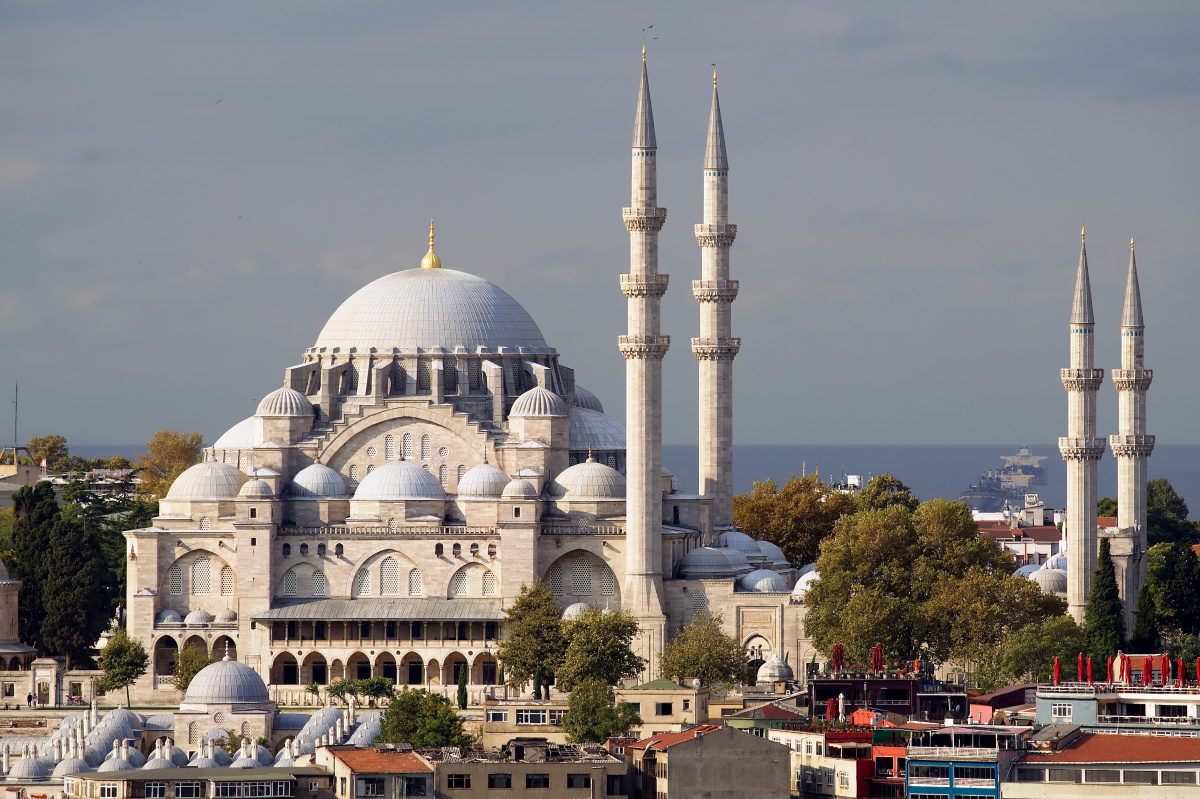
1081	448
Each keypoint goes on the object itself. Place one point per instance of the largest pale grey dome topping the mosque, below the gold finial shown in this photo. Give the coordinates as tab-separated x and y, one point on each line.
428	309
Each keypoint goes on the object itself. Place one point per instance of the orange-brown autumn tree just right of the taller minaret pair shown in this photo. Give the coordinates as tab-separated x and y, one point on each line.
796	518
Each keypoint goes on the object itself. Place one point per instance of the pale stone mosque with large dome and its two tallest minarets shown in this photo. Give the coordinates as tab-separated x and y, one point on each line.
431	454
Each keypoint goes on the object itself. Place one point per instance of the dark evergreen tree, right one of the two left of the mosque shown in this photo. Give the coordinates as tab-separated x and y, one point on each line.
75	576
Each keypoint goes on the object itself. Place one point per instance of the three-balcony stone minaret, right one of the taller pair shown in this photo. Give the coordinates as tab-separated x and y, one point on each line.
716	349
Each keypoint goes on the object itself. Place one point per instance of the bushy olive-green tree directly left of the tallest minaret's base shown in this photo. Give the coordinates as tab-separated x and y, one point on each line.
599	648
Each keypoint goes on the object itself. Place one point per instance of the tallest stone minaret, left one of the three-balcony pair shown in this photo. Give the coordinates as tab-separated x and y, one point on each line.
644	350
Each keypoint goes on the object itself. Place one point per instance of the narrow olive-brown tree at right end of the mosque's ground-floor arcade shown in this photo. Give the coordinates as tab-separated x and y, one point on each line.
533	645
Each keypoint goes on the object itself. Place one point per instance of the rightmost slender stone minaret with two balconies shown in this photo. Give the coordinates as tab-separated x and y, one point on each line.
1132	447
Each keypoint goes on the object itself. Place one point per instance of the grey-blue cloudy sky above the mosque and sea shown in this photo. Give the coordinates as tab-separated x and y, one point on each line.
188	191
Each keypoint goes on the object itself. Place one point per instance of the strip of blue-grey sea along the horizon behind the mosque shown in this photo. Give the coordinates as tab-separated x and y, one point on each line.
932	472
